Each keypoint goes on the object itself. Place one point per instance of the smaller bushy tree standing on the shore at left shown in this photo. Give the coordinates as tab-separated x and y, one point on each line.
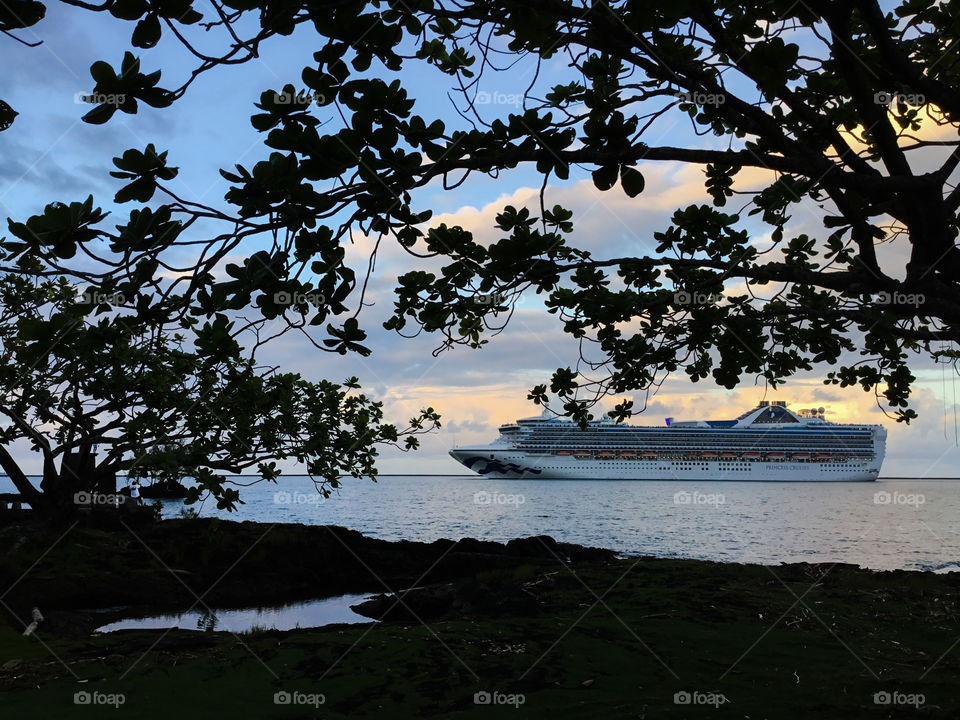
115	379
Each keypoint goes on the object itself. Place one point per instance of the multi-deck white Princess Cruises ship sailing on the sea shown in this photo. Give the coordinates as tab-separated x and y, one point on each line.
769	443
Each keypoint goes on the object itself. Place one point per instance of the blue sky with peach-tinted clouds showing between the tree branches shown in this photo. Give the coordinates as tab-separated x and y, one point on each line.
49	154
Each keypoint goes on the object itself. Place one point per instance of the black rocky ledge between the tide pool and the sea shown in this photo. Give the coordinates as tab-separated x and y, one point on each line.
168	565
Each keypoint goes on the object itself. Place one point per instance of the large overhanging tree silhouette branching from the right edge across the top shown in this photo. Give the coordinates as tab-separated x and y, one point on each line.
827	102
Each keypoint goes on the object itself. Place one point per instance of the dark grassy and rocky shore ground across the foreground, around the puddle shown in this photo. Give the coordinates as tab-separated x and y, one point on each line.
488	629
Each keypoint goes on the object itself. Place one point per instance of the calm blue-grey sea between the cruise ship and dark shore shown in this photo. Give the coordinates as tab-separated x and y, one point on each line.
911	524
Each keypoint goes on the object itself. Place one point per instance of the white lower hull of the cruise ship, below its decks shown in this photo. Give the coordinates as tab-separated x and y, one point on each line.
506	464
